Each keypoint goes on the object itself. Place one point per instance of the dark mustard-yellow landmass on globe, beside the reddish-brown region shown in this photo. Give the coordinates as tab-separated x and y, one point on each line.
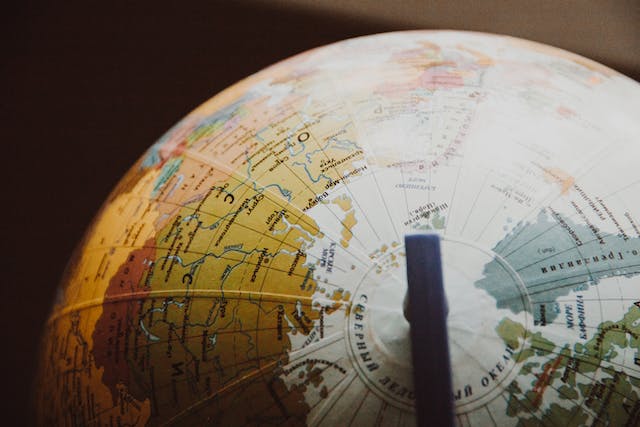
225	310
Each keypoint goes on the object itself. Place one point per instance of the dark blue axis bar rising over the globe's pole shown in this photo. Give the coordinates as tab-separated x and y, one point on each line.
427	312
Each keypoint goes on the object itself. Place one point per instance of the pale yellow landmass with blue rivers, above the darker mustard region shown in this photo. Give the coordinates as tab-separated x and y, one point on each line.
301	151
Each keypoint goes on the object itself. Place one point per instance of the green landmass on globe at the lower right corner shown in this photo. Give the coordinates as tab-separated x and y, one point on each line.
567	374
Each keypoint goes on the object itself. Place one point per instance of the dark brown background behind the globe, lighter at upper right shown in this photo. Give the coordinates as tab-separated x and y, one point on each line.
87	87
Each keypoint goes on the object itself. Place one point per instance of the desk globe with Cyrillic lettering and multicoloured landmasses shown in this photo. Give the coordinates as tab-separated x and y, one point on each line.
250	268
